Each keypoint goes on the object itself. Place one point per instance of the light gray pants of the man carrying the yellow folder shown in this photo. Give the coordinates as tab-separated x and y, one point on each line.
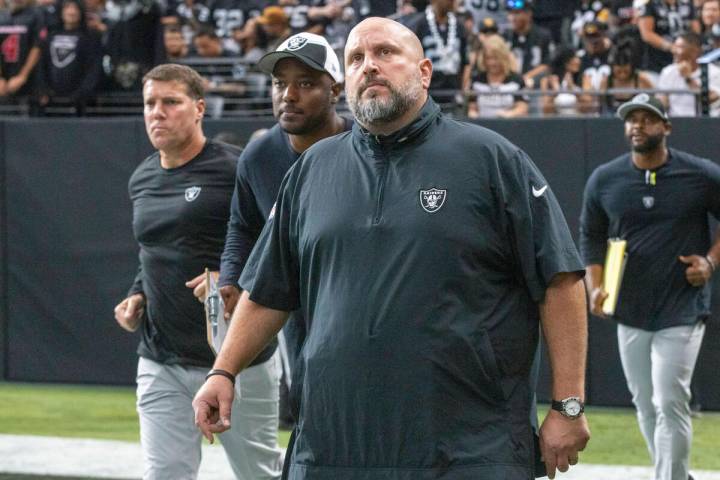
658	367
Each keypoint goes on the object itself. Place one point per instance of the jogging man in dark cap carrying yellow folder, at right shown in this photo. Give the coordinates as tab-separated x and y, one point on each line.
658	200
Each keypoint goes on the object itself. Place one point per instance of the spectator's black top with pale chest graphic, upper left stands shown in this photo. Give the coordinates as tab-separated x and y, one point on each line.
71	63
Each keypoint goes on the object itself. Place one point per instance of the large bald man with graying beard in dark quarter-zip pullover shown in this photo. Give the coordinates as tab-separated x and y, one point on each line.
425	254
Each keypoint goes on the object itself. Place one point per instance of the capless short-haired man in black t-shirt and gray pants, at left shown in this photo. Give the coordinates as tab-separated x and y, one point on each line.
181	200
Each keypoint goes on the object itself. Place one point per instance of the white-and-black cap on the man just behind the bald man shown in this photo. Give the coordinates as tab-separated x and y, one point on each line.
312	50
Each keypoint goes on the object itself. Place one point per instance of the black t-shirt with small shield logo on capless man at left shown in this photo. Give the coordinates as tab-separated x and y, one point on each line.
179	220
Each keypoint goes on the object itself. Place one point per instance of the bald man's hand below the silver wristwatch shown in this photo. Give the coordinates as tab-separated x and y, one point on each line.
561	441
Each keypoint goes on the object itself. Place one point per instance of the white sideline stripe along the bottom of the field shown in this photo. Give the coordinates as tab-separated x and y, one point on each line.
122	460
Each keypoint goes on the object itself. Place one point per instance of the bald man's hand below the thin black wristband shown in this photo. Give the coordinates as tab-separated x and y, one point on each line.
212	405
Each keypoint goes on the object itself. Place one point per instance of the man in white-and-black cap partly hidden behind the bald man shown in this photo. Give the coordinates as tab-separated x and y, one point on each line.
306	83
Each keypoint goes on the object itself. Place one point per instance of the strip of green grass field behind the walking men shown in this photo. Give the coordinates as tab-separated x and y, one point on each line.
109	413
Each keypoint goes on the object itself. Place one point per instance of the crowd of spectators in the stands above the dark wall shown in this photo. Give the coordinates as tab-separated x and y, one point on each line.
491	58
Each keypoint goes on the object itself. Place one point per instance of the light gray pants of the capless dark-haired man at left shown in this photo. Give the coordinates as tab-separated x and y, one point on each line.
171	442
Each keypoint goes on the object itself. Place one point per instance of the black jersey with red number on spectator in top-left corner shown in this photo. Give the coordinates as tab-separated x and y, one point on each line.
20	31
